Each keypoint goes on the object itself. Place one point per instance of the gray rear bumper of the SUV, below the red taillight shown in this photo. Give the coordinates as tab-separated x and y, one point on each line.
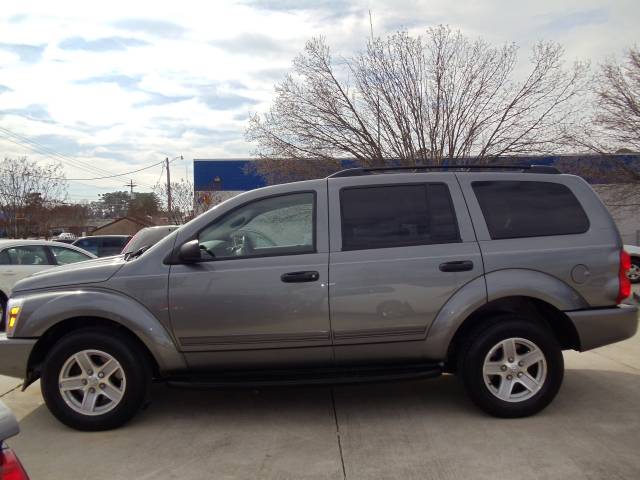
602	326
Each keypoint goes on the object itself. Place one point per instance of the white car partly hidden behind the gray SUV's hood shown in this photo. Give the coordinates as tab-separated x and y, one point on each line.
21	258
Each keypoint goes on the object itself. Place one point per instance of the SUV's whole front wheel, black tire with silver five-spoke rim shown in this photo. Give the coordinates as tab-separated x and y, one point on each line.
95	379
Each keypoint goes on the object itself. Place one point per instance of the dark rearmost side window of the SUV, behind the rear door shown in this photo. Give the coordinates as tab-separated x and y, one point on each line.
529	209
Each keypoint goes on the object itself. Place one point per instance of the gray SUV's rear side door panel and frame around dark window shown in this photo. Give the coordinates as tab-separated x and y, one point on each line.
383	300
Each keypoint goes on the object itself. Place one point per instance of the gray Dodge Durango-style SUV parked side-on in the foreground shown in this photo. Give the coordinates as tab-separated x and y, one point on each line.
370	274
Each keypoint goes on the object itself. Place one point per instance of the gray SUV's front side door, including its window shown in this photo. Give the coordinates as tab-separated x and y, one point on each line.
264	289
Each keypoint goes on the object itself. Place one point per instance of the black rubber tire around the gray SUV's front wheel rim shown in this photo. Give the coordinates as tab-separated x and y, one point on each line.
119	346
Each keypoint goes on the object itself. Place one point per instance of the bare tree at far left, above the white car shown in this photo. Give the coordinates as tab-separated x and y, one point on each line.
25	187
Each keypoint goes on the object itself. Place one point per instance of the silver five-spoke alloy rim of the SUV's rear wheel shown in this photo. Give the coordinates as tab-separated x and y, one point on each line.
514	370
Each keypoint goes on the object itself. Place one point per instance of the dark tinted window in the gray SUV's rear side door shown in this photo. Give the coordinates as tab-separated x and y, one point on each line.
397	215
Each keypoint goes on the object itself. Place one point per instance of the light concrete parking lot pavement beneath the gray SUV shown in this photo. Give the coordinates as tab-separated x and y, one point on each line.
422	429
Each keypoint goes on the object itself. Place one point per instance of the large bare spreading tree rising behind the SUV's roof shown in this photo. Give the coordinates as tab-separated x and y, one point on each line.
418	99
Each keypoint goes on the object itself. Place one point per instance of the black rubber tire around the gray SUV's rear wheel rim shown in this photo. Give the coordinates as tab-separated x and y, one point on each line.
481	341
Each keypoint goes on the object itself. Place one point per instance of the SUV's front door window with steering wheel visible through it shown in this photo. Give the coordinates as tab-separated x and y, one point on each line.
281	225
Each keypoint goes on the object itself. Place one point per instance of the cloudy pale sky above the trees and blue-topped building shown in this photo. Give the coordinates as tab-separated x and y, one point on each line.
111	87
